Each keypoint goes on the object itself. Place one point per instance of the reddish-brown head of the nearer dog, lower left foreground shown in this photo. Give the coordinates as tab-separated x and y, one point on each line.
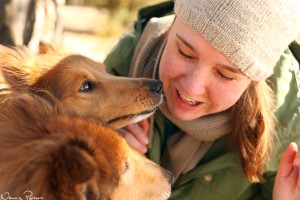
61	157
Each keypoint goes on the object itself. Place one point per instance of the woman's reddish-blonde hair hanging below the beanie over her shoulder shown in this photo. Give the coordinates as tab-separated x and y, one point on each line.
253	129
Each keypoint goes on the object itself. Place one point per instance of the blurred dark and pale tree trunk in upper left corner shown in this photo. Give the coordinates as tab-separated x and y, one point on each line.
27	22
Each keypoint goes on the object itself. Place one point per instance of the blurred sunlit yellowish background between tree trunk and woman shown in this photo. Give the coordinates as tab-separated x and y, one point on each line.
99	25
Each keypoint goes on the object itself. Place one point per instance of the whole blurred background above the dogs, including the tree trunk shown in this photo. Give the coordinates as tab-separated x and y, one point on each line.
87	27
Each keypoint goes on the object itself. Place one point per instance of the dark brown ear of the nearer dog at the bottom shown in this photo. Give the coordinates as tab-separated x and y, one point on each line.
76	169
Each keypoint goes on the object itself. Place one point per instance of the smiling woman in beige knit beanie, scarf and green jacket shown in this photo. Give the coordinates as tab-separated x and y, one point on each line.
214	58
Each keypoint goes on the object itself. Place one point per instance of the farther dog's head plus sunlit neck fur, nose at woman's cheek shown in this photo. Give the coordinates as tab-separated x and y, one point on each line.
82	86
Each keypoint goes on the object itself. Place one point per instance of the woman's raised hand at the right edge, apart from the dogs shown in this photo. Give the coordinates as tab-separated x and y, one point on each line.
287	182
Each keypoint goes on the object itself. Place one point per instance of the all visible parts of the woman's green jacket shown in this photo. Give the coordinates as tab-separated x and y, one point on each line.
218	176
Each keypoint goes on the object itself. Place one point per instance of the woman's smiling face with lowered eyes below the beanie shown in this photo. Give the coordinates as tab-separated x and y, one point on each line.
198	80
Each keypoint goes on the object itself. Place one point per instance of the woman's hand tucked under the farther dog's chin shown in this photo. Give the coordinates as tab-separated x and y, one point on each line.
137	135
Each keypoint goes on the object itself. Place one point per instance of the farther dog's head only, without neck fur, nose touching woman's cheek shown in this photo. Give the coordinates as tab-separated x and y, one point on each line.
86	90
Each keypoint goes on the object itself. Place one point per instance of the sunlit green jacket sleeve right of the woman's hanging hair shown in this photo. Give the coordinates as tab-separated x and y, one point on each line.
285	82
